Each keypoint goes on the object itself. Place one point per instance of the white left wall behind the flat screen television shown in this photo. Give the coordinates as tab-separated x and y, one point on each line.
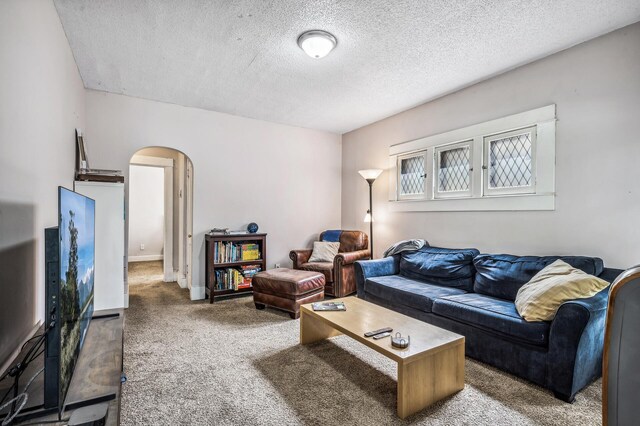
41	102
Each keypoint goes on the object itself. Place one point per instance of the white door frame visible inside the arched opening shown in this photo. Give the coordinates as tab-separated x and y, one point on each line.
167	164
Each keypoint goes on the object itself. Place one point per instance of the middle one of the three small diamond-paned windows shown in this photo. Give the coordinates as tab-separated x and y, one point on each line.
453	167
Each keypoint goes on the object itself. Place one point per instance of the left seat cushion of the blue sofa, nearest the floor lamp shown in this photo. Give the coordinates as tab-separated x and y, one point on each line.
399	290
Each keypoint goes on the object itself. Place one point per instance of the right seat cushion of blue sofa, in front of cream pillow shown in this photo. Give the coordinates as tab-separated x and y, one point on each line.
493	314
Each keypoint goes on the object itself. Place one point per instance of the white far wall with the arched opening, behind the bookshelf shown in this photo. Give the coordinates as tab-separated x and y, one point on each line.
286	179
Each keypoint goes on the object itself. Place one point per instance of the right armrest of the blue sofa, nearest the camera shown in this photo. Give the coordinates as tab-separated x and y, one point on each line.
576	342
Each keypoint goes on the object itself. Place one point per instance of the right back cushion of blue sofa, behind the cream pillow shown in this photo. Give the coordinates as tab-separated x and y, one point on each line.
502	275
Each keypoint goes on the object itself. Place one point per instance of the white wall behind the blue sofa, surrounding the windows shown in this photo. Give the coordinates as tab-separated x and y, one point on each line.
596	86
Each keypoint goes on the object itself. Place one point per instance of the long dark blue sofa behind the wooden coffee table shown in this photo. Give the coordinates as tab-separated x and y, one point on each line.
473	294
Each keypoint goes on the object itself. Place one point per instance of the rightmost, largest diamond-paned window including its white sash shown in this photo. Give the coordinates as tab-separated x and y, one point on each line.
509	163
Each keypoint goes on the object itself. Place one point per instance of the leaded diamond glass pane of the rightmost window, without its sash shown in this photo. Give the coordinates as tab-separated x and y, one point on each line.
510	162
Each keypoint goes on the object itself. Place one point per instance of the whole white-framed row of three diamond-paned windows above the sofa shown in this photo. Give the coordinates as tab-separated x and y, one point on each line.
505	164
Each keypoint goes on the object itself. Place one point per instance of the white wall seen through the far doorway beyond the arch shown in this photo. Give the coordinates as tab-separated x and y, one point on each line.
146	212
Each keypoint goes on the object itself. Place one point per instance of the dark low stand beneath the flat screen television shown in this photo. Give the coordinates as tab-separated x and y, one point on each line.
96	379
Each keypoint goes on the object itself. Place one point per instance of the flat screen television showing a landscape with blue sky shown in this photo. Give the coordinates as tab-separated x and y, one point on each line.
70	262
